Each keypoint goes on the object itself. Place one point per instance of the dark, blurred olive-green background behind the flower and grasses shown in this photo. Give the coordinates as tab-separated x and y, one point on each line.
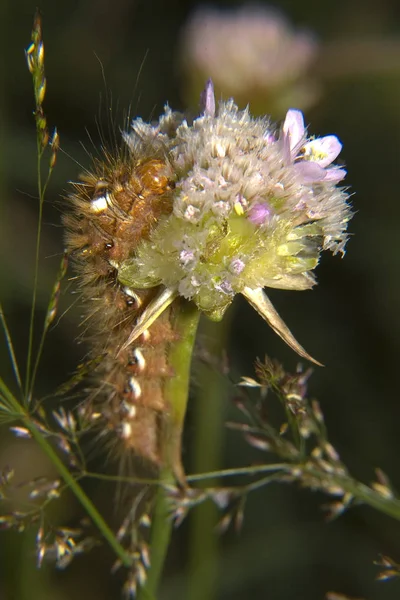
350	322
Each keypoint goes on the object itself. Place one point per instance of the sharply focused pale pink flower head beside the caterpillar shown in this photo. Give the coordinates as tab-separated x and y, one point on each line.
252	208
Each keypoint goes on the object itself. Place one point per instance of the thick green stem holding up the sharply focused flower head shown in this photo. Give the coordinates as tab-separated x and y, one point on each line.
185	317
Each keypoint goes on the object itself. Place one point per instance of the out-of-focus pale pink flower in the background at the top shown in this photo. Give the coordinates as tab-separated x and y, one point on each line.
251	53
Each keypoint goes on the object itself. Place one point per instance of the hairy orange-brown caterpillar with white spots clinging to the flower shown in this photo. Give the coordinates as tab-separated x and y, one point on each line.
113	208
